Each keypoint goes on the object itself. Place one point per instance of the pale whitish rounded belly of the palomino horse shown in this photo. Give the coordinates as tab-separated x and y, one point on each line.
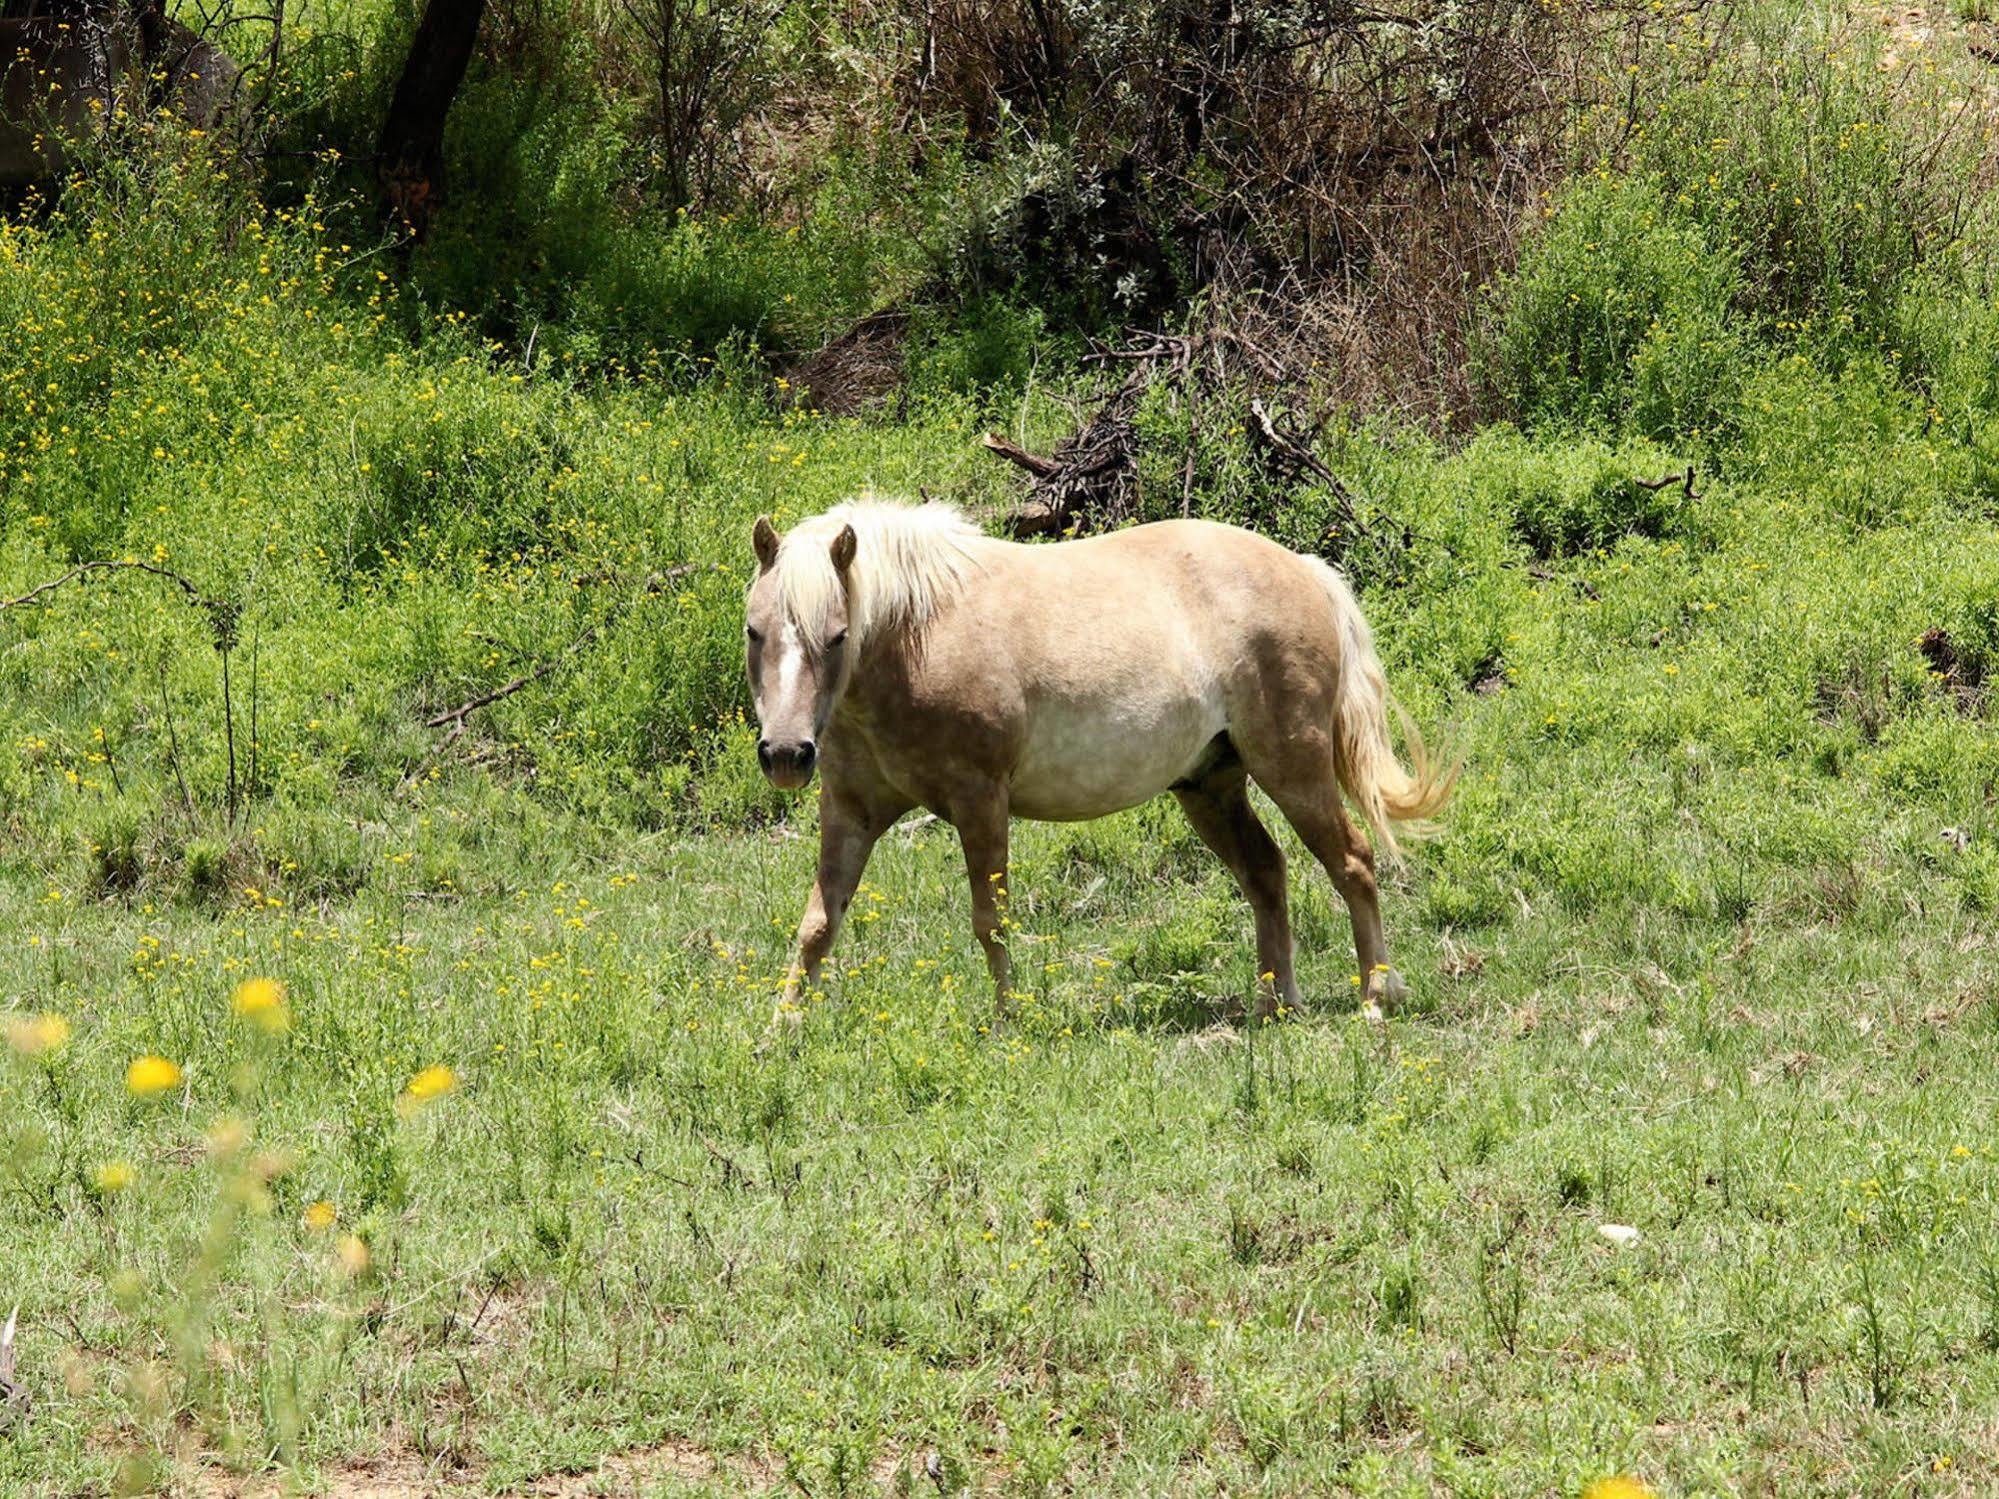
1084	760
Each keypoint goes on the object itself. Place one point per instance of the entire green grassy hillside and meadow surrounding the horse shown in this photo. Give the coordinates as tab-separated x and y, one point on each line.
383	1096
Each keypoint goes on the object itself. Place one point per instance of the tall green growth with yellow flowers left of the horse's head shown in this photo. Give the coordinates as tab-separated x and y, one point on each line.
403	523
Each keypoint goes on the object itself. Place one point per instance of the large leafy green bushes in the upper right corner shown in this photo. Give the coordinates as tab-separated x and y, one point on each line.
1768	195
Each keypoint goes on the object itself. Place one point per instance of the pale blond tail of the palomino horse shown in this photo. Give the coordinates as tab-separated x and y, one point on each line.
1368	768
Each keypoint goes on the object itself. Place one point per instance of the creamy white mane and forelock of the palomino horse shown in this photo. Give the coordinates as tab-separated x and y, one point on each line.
907	563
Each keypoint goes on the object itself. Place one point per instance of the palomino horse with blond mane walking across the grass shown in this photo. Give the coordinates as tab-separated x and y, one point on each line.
919	663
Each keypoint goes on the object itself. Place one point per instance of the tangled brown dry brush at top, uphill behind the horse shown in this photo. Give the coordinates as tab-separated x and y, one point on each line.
1340	179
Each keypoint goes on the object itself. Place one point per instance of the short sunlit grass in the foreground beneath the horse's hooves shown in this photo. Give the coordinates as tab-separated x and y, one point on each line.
1122	1244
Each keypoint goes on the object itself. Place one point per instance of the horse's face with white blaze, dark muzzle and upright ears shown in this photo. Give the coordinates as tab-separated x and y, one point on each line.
797	669
